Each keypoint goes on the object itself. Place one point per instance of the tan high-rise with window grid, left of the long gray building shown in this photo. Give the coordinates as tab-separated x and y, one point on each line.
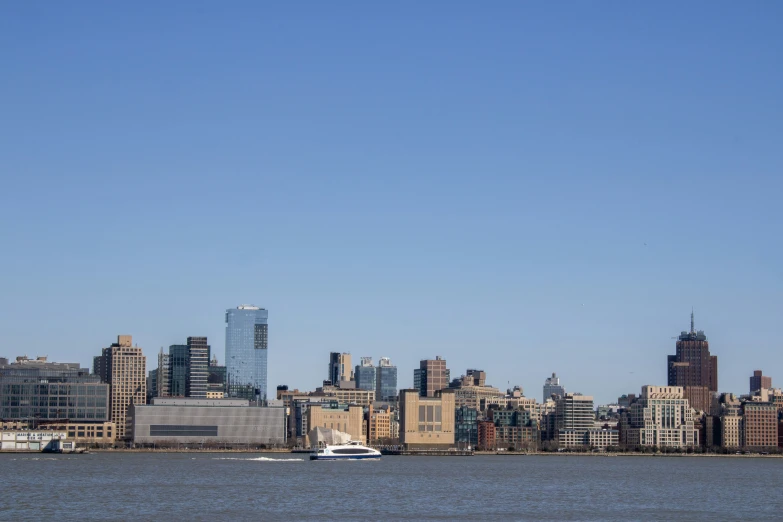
124	368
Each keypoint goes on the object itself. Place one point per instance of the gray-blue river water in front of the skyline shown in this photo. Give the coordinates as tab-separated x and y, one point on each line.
208	486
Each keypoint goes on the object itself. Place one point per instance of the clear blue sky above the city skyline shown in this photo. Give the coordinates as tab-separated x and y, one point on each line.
518	187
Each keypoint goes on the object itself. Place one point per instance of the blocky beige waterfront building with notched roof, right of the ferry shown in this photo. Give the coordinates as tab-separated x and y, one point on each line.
427	422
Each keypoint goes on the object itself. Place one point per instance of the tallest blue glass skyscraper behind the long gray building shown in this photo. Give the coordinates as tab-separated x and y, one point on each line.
246	351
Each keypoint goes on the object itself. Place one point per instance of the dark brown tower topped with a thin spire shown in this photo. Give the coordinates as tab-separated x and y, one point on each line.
693	368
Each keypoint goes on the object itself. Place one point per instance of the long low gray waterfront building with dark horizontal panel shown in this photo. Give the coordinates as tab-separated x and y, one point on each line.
199	420
